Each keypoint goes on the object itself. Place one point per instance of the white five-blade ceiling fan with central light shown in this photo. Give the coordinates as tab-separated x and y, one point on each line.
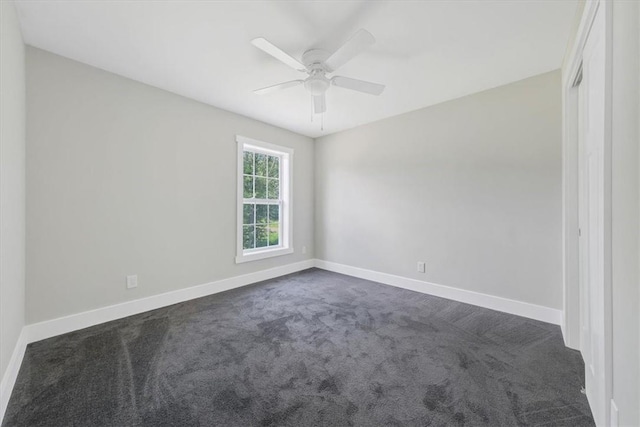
317	63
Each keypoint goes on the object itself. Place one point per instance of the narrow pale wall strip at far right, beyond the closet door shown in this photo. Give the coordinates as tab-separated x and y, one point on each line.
625	211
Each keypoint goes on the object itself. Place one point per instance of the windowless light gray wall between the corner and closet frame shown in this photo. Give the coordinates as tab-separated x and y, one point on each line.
471	186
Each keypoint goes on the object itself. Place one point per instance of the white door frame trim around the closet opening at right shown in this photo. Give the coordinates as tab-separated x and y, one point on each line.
570	199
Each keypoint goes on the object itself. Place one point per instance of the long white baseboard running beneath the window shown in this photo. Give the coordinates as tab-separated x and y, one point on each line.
74	322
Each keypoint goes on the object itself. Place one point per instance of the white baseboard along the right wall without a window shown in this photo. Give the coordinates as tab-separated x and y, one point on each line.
519	308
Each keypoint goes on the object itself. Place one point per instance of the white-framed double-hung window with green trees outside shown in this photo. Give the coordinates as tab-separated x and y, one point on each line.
264	200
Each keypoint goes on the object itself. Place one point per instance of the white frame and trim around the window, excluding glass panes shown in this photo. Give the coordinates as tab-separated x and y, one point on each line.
286	212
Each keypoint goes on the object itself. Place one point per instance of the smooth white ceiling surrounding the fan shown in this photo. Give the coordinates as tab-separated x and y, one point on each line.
426	52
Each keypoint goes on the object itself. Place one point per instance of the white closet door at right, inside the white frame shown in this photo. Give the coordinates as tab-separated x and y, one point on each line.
592	137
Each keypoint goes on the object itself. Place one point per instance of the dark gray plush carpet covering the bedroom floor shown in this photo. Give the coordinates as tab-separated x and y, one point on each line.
309	349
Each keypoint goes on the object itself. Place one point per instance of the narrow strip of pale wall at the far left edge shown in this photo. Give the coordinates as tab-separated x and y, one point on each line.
12	182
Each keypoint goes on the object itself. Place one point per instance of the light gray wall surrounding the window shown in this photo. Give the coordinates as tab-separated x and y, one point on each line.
124	178
